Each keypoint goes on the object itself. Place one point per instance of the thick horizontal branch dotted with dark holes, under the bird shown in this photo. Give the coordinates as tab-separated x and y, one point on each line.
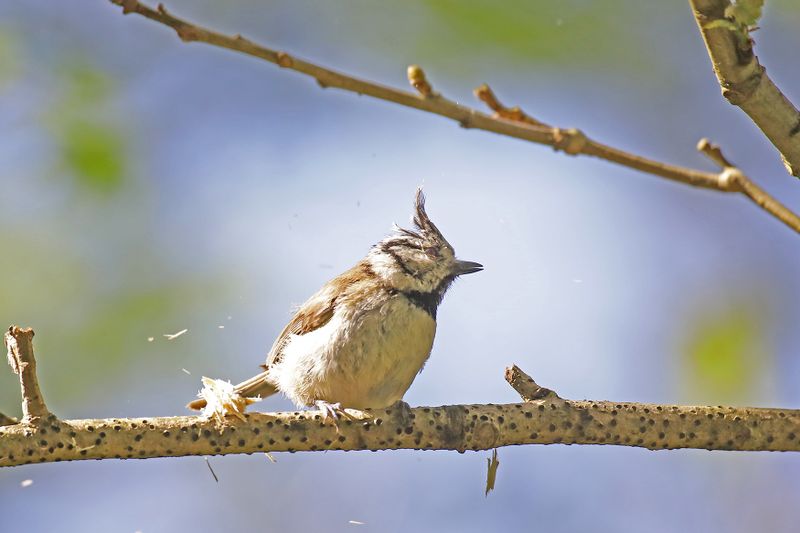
543	418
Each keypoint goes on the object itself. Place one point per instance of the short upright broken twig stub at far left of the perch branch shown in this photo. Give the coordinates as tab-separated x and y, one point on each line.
19	343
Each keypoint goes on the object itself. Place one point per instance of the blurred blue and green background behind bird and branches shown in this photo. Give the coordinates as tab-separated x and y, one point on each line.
229	190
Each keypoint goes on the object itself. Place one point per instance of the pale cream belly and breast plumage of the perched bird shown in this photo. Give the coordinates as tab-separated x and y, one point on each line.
359	358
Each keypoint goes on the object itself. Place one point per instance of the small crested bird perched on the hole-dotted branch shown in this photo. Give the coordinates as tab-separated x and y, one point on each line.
361	340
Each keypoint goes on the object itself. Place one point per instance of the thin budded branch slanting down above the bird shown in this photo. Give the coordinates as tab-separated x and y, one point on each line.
504	122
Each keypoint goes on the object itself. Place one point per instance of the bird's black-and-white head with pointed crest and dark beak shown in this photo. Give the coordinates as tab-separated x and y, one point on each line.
419	261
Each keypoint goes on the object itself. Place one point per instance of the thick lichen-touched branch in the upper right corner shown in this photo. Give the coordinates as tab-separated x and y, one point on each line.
744	82
